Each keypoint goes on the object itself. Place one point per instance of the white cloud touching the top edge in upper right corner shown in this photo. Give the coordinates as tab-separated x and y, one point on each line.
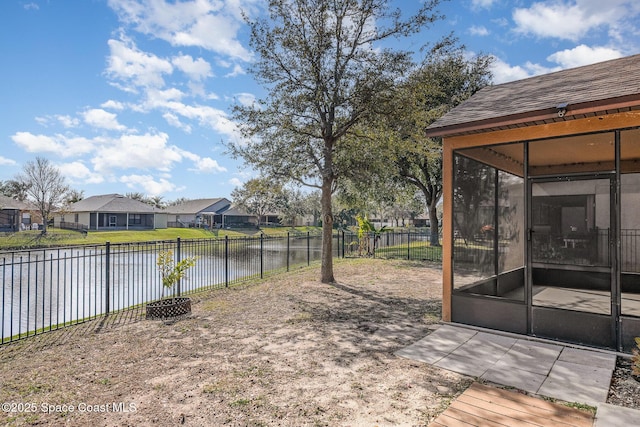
572	19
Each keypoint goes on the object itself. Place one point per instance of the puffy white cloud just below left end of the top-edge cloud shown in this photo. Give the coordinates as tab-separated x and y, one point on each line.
131	68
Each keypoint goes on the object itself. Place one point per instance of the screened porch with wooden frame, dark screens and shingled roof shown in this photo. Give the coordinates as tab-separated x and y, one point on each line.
542	206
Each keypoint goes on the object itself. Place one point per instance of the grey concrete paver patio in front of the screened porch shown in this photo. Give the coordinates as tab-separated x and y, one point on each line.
549	369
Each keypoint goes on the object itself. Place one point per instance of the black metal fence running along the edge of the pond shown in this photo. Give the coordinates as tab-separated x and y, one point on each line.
46	289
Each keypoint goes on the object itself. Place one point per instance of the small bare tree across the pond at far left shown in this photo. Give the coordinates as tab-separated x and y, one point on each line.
45	186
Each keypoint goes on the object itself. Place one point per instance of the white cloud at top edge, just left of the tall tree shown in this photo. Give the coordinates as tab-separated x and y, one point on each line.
208	24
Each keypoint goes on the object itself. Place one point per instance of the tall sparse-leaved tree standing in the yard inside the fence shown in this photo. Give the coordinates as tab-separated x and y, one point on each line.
326	69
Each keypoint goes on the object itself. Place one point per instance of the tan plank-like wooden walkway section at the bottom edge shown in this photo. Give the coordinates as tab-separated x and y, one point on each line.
483	406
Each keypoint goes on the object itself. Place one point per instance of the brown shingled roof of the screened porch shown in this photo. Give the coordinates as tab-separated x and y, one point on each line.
602	88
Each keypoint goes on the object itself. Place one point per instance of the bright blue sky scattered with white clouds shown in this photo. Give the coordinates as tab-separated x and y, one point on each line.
134	95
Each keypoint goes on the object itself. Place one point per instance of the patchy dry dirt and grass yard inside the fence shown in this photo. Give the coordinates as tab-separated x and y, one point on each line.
286	351
